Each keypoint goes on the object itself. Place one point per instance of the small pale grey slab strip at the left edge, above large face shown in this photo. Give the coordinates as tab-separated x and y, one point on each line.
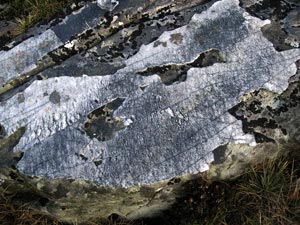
24	57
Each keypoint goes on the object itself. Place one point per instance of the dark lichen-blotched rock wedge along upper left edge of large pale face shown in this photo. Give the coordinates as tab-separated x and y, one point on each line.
108	57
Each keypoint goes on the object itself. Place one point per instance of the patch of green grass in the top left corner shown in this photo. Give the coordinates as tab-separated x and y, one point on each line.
28	12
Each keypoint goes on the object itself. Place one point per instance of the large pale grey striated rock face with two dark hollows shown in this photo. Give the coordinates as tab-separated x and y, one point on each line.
170	130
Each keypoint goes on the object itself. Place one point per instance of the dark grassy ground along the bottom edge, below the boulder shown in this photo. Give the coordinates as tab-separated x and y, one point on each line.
267	194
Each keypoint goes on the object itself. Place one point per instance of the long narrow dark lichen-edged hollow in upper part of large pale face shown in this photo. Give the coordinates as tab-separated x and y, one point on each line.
175	73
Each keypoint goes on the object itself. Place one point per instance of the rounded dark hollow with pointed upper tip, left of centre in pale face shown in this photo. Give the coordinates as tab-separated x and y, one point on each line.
101	124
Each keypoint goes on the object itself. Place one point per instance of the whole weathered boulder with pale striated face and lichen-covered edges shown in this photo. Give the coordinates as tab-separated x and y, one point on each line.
203	96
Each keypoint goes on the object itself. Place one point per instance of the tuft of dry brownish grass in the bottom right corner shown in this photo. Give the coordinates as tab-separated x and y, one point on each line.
269	193
